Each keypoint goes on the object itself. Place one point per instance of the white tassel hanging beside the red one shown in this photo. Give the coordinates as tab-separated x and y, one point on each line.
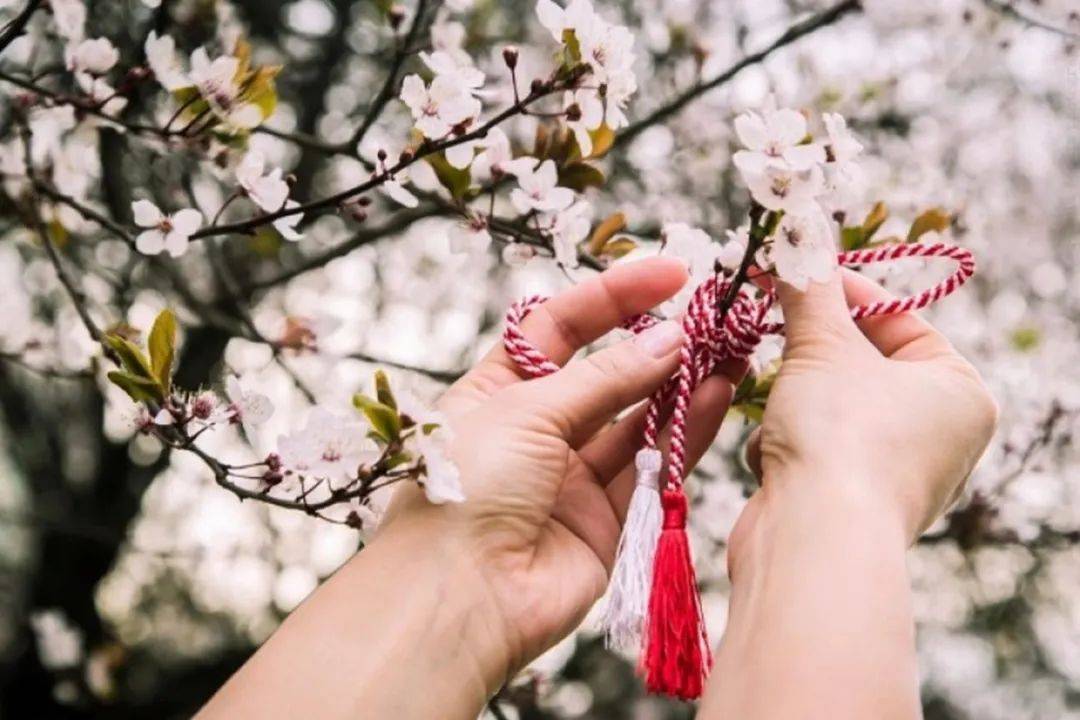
632	578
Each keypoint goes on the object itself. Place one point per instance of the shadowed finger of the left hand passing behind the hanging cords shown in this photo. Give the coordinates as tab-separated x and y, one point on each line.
708	410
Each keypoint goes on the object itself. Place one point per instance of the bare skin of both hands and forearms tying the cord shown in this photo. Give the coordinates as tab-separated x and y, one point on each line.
449	602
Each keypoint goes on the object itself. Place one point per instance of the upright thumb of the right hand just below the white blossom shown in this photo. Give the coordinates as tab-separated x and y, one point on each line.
816	315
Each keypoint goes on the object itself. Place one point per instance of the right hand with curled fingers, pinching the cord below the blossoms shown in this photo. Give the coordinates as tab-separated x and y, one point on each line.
883	416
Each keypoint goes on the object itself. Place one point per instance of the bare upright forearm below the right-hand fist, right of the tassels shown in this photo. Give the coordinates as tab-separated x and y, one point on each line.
820	623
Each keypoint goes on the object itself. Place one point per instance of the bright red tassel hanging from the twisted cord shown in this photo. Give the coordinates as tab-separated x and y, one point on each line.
677	658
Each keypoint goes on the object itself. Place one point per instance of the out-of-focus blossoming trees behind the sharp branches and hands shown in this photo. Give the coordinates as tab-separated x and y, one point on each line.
132	587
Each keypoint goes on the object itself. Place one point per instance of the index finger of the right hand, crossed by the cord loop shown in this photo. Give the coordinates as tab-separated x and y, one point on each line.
906	336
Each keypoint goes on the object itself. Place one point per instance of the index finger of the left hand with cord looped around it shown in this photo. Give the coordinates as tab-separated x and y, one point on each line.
574	319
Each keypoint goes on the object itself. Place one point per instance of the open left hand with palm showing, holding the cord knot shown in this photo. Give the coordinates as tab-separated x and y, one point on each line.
547	479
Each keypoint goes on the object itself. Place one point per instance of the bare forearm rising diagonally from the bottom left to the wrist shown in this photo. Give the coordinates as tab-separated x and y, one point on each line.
395	634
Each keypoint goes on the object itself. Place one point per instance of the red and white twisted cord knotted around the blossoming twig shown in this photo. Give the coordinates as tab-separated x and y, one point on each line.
710	341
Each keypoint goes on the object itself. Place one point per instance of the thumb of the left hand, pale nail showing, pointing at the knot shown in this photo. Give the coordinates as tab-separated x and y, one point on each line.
590	391
